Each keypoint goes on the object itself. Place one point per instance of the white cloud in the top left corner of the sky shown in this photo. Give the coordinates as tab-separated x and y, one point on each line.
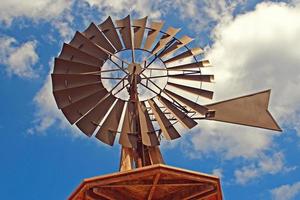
35	10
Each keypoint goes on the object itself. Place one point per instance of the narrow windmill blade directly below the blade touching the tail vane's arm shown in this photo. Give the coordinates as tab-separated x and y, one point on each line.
178	114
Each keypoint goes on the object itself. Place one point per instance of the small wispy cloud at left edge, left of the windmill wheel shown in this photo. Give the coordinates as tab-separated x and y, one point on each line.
18	59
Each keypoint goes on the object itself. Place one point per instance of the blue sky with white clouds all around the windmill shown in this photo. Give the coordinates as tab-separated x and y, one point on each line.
253	45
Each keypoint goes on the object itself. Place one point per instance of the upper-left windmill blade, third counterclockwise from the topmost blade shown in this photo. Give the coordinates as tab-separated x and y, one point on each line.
84	44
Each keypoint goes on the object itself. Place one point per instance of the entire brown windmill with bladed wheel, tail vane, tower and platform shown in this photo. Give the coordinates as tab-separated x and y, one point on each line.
134	82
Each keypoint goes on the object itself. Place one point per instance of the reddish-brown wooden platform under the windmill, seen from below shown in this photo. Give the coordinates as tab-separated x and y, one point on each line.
152	182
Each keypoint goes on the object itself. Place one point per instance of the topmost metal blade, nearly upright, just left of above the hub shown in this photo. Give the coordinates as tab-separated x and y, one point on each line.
125	31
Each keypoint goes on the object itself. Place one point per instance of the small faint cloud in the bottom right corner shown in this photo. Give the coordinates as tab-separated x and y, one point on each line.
286	192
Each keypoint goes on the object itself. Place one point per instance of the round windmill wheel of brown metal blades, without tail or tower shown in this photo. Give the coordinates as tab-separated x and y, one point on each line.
130	77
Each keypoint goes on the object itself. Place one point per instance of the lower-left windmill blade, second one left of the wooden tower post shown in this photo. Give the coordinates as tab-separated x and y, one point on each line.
108	131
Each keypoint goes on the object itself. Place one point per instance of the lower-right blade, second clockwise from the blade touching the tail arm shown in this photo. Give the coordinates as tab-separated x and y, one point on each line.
168	130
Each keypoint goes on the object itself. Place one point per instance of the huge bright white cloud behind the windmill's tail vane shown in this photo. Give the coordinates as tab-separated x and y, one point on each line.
253	52
